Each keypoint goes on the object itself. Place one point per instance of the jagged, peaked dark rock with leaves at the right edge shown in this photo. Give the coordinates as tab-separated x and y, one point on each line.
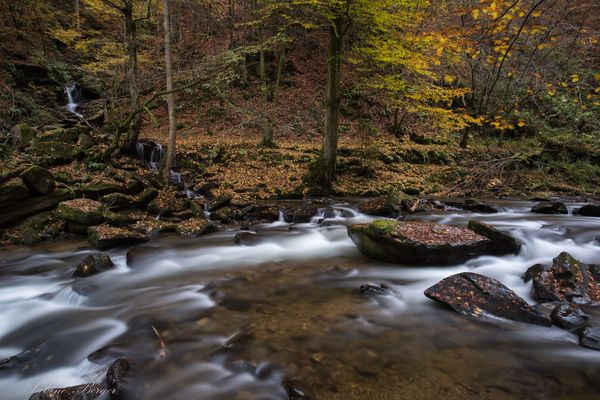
566	280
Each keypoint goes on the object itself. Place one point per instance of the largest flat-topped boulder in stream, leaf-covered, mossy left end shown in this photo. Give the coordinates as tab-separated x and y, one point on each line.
417	243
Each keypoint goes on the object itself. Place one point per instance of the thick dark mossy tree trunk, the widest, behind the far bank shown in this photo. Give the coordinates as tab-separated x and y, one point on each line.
326	174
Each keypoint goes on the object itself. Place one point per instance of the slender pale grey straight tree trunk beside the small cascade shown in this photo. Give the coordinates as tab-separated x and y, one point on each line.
171	149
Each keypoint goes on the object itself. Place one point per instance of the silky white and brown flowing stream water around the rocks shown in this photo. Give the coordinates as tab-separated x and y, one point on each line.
236	321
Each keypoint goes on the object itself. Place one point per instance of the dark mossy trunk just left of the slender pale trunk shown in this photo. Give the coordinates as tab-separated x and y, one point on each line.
132	76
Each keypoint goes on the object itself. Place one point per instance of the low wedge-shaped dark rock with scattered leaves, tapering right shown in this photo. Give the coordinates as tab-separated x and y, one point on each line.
477	296
